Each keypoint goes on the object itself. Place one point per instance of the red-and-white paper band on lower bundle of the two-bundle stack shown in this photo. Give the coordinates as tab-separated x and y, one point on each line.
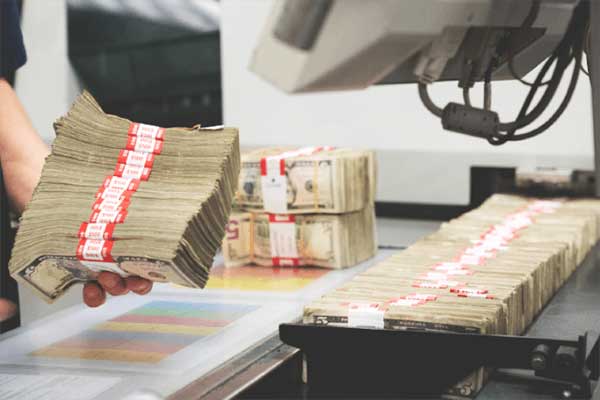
282	237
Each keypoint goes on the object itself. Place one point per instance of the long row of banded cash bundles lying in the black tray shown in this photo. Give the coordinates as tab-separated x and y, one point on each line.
489	271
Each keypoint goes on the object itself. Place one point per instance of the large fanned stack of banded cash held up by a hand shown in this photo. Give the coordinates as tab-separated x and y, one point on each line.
126	197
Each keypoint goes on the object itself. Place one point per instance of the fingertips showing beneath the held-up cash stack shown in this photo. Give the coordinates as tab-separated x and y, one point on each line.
94	293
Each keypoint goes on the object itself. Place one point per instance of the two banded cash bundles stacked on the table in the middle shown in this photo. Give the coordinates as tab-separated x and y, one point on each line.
310	206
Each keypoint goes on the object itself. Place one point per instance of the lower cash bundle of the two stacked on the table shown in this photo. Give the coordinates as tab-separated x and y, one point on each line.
323	240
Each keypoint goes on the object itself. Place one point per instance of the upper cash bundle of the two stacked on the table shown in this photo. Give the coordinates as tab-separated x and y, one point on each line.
306	180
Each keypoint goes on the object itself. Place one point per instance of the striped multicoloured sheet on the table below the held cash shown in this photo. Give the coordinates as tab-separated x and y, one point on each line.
147	334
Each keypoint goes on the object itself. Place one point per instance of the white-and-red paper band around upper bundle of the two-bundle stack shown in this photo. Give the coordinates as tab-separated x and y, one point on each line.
274	181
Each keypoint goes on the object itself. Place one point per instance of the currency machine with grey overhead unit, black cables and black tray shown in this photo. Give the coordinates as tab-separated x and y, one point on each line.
387	42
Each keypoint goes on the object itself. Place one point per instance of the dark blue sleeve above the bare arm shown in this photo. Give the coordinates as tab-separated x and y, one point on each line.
12	50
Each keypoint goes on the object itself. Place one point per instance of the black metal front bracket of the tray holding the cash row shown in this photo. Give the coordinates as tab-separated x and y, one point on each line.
358	362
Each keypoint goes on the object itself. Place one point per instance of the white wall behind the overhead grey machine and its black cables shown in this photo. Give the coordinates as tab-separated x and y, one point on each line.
419	162
